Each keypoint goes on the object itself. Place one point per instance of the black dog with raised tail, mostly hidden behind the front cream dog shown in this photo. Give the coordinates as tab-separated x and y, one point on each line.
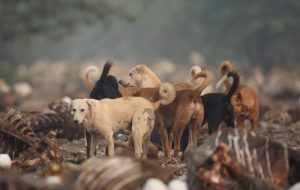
105	87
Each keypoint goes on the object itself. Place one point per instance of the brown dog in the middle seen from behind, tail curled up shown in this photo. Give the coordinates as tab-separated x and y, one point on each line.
172	119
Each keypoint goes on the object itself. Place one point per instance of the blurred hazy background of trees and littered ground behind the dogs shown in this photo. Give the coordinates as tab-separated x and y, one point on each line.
45	46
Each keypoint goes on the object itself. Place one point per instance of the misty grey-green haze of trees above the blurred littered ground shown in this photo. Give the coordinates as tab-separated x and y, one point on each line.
257	33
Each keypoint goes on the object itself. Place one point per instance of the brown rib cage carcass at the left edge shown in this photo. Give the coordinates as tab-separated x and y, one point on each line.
26	148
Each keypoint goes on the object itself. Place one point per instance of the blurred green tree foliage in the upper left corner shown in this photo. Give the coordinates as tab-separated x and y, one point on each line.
21	18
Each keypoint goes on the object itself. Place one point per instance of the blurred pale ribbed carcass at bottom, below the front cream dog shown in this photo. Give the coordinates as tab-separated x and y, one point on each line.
119	173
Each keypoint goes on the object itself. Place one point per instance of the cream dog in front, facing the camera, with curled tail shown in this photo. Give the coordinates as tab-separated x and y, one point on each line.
107	116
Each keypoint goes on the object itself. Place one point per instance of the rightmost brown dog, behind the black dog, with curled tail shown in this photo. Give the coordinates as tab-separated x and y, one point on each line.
245	101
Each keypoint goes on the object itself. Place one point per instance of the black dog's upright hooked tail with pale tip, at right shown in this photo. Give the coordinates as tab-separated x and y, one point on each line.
235	84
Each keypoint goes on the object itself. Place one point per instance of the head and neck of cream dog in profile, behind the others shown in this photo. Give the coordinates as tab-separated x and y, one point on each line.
140	77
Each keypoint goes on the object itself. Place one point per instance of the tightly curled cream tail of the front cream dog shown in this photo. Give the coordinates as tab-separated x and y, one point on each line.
167	94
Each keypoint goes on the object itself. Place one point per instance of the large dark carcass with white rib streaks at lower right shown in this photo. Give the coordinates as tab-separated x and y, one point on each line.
255	156
